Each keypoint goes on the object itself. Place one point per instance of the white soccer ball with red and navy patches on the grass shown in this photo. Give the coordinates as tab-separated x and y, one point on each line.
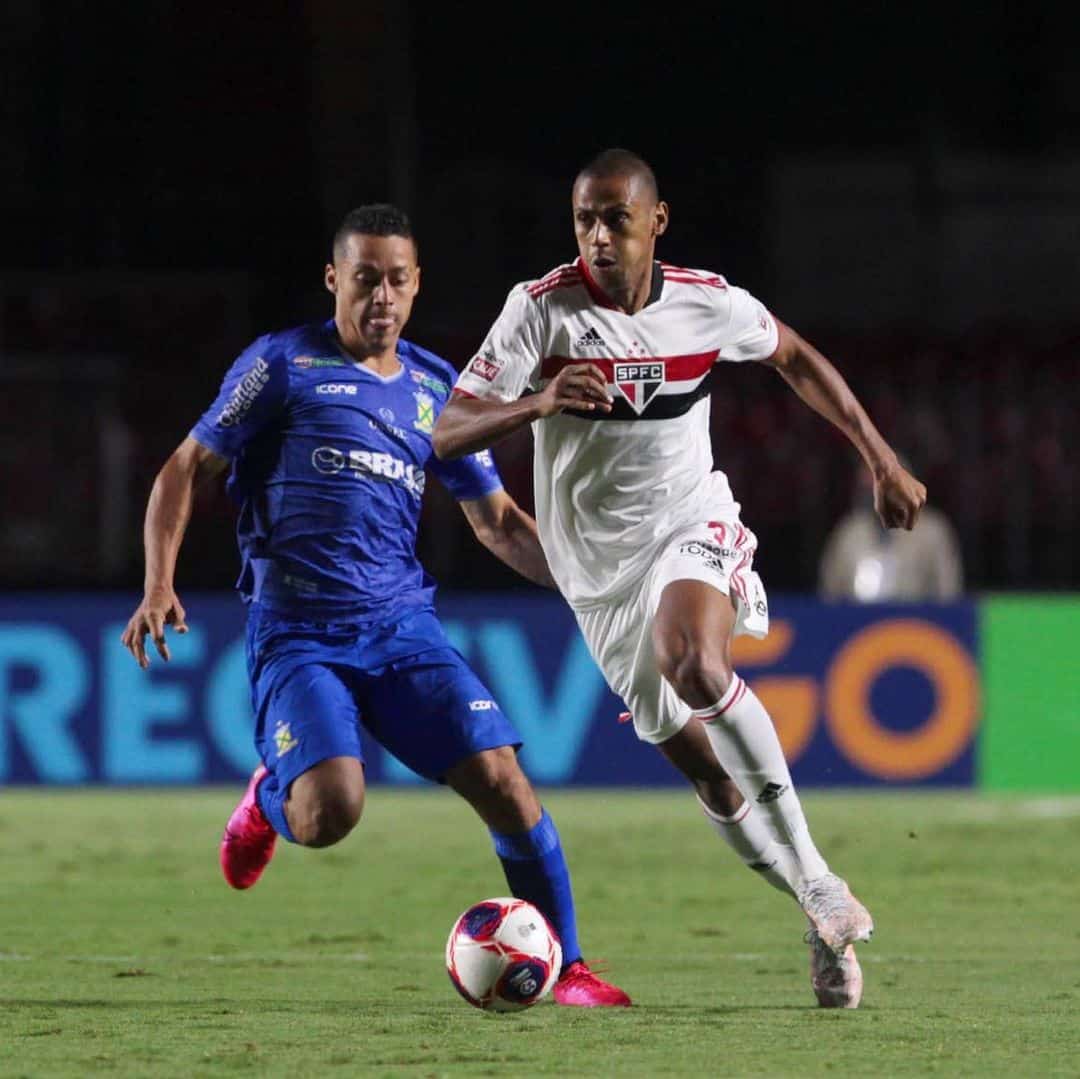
503	955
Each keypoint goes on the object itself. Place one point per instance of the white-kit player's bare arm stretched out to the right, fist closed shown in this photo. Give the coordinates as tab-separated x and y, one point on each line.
898	495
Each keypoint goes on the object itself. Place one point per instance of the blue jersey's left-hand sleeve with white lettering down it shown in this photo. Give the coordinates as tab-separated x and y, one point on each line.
253	396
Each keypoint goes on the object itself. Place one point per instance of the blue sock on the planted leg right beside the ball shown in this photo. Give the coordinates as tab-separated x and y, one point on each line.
536	871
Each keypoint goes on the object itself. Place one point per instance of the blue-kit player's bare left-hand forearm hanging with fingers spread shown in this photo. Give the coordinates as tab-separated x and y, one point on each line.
167	519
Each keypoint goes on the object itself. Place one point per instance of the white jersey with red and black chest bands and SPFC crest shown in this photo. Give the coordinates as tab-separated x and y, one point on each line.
612	489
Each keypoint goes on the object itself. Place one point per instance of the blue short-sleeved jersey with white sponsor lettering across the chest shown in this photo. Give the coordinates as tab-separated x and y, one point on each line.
329	464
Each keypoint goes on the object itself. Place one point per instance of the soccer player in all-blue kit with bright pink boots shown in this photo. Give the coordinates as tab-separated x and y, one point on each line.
327	430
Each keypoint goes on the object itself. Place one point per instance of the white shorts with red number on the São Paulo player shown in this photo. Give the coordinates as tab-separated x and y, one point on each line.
721	554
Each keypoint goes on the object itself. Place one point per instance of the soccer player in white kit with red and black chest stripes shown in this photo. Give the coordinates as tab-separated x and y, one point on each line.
612	359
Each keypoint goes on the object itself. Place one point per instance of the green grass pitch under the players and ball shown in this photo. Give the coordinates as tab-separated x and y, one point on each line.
126	954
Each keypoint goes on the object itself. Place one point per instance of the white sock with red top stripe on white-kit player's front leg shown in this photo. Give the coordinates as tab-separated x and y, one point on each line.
746	744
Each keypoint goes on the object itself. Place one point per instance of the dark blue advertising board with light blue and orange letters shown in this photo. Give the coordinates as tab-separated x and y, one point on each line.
861	696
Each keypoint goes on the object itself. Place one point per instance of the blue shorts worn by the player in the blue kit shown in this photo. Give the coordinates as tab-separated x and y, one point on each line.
315	683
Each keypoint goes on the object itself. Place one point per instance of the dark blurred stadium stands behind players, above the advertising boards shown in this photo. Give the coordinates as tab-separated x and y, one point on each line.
903	186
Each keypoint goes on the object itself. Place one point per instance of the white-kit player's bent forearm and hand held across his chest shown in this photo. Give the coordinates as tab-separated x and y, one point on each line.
468	425
